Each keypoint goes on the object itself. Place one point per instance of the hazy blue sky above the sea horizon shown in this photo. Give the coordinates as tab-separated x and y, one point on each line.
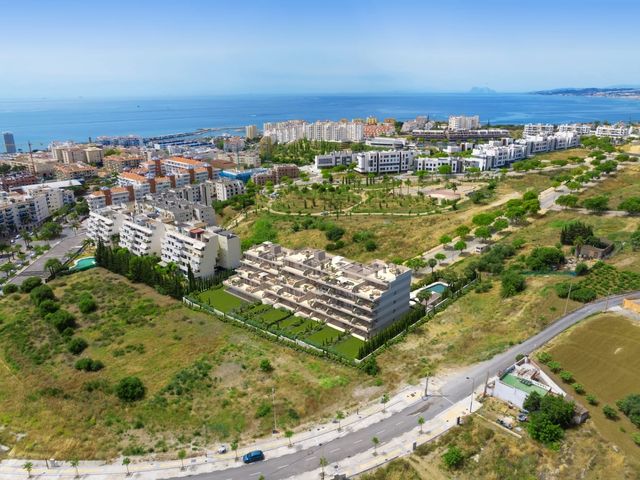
190	47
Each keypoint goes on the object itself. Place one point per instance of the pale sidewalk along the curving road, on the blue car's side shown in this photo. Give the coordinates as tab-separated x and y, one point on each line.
273	447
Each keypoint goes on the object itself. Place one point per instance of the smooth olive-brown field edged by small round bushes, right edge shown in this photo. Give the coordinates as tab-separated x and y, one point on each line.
603	353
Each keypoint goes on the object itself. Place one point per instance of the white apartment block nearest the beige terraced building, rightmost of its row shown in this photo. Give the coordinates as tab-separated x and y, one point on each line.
201	249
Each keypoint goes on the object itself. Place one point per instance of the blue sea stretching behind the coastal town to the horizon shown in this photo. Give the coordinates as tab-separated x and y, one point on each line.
41	121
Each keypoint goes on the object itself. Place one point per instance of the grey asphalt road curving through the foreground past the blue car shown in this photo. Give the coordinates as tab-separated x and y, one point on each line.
455	389
